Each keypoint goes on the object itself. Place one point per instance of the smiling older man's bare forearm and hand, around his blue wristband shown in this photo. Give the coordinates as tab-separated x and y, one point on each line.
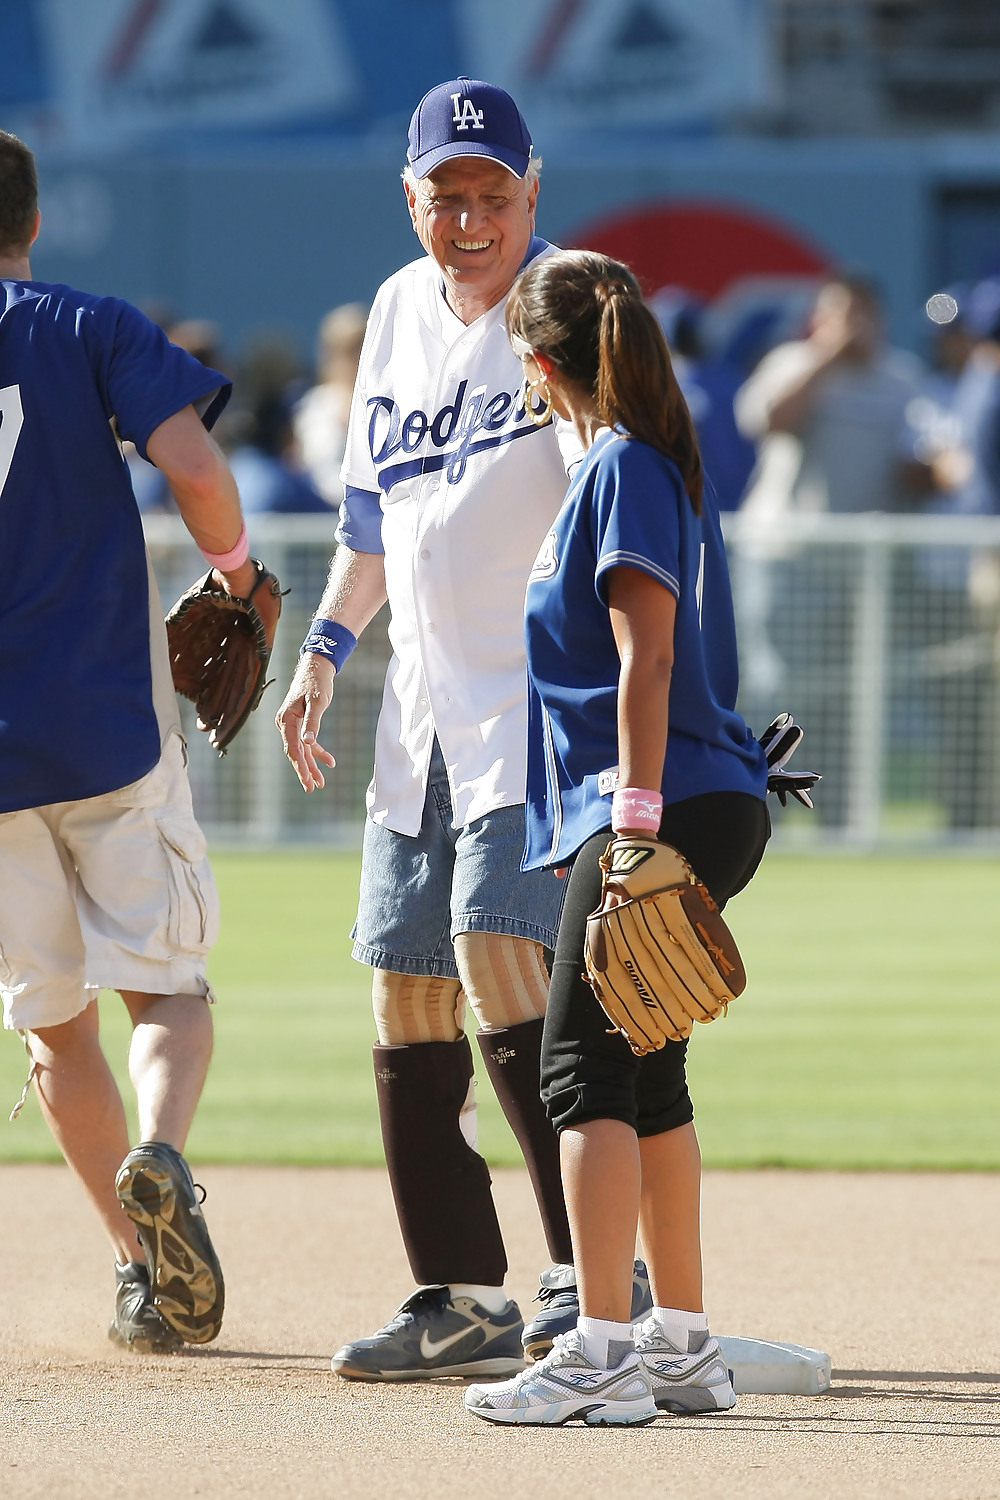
355	595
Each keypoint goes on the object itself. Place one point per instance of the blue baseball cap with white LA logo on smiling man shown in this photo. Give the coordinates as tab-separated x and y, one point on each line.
469	118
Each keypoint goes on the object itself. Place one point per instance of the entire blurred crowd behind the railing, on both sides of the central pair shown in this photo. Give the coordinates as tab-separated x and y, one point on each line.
803	407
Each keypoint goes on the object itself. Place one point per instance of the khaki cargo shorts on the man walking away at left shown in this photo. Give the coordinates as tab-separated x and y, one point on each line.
107	893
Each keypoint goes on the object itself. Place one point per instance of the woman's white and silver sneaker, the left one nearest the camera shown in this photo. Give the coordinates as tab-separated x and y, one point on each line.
567	1387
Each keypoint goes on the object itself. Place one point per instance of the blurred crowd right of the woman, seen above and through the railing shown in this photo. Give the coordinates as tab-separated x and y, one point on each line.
836	421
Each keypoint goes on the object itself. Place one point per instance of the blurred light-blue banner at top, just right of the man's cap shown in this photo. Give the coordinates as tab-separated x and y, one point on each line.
599	64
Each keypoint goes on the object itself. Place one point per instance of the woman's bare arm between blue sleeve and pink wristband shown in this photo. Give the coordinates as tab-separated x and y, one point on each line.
642	614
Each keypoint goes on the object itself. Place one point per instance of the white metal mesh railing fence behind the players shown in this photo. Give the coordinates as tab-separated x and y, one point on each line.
881	632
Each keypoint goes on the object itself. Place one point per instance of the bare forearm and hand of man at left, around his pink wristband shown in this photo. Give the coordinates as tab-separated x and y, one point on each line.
205	490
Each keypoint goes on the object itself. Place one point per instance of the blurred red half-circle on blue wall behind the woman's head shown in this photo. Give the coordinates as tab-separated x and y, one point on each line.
699	245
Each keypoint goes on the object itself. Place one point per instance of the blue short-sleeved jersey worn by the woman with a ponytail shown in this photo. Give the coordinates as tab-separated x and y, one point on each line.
627	508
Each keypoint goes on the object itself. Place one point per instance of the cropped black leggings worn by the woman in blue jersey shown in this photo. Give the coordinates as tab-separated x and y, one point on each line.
588	1075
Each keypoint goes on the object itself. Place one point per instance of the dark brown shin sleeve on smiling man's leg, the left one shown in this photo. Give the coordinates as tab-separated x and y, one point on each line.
442	1187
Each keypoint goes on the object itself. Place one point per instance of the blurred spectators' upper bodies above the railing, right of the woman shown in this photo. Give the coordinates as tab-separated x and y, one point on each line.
834	419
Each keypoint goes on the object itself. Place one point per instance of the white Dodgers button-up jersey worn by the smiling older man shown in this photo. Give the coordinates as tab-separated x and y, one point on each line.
469	488
